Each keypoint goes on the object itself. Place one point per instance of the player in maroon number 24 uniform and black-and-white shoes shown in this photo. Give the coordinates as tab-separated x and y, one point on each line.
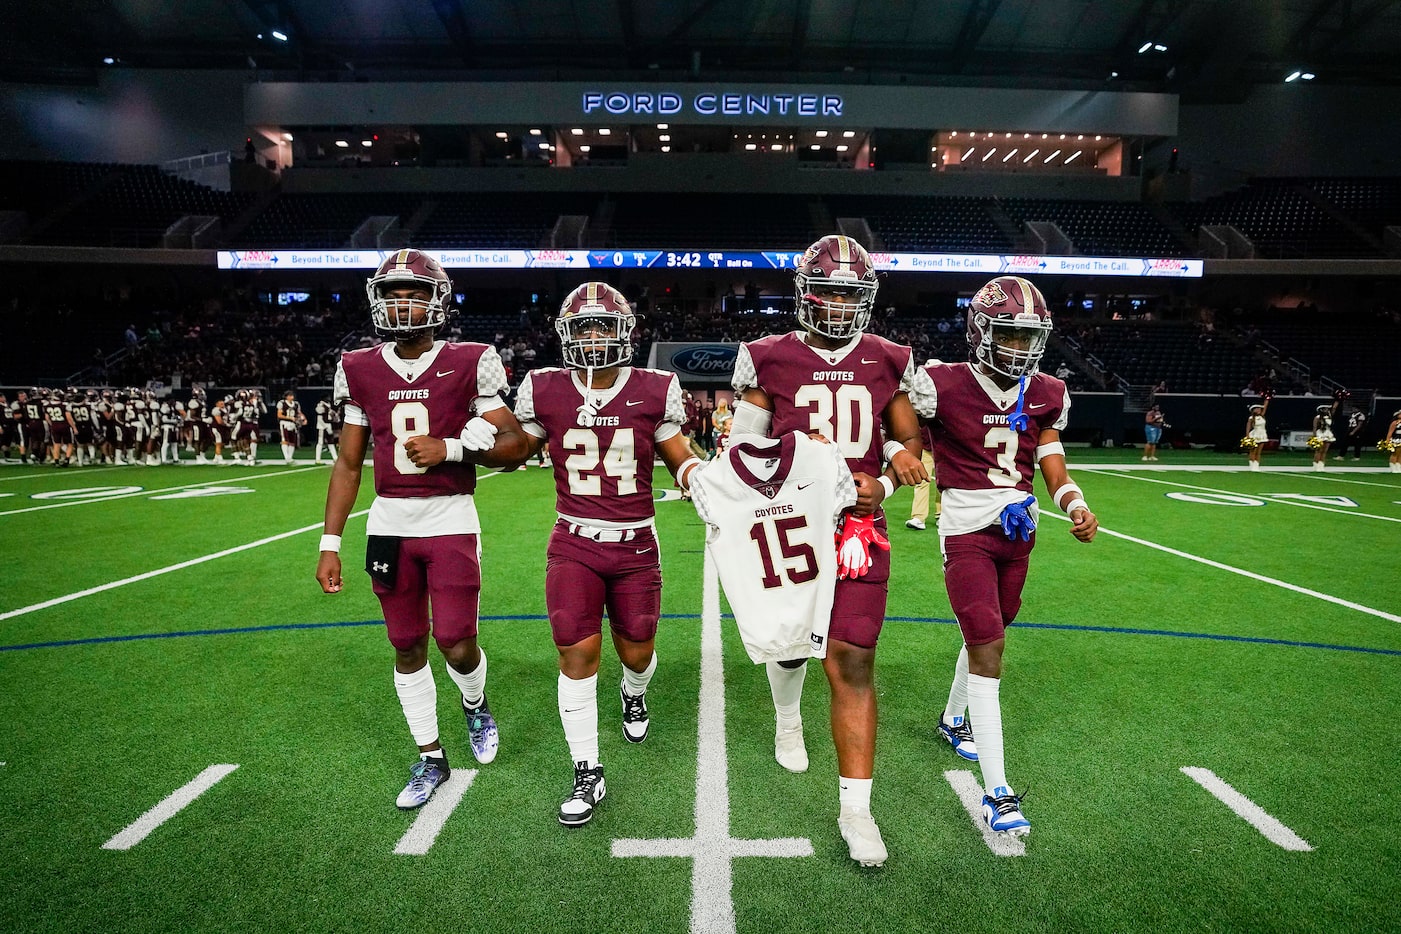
606	422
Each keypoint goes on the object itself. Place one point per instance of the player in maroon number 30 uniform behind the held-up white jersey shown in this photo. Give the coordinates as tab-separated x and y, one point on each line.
834	380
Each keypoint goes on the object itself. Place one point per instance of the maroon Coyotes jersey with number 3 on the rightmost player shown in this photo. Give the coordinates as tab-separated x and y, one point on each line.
974	449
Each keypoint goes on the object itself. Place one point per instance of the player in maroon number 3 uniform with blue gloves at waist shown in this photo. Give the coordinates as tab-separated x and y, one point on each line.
994	421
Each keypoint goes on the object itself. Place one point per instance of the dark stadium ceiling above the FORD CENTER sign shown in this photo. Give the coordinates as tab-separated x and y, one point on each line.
1203	50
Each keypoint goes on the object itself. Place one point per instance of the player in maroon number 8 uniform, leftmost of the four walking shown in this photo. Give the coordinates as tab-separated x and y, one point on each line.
415	396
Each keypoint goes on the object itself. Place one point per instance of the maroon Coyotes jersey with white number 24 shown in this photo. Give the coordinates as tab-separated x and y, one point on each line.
603	463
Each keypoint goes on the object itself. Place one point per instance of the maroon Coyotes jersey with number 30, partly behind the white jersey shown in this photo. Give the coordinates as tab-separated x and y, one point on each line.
843	401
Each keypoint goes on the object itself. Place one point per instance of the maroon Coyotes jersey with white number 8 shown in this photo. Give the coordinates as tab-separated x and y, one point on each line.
438	403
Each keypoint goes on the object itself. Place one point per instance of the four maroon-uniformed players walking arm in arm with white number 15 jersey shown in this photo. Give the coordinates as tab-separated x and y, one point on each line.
435	411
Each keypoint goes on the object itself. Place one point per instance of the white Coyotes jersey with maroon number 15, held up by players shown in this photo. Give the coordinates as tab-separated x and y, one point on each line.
773	508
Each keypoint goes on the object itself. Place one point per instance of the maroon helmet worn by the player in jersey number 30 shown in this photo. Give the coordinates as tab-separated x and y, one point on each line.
837	285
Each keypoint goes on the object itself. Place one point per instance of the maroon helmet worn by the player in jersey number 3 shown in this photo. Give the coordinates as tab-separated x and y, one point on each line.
1008	327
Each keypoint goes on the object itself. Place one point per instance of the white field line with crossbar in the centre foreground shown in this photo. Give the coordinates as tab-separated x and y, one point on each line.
712	849
